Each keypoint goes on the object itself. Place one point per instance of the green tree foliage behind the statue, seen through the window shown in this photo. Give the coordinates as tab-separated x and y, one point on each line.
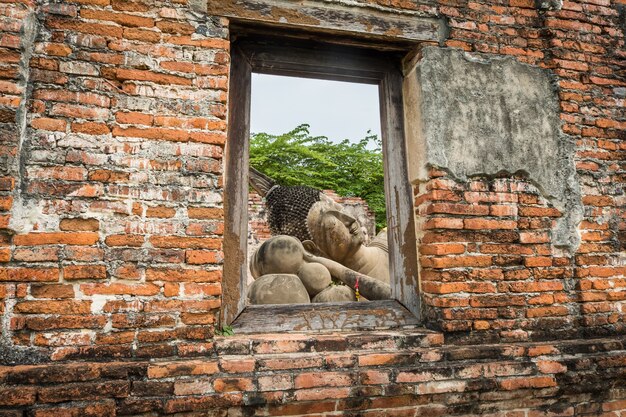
350	169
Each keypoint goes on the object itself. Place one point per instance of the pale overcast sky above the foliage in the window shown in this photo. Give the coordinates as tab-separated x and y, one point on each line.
337	110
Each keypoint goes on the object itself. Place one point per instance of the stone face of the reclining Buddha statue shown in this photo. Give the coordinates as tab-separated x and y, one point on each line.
336	233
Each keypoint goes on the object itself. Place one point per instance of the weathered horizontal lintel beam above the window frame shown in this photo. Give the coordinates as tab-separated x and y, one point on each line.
335	17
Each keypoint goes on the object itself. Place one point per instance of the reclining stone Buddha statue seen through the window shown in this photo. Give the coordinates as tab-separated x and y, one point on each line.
332	239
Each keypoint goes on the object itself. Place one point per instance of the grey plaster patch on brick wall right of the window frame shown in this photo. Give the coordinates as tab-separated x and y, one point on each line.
478	115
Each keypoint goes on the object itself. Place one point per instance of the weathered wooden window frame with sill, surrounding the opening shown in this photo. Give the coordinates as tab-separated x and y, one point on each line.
258	53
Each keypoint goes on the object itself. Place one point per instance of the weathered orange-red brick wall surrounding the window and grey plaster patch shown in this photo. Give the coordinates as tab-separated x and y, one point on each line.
113	120
